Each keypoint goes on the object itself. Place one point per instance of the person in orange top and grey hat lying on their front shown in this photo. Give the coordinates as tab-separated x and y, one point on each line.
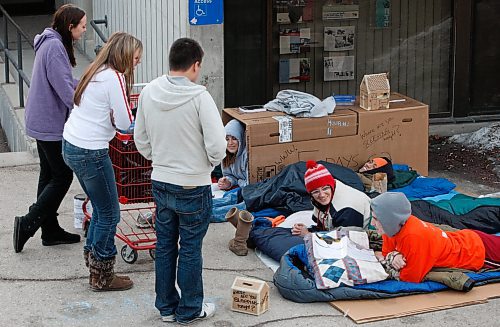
414	247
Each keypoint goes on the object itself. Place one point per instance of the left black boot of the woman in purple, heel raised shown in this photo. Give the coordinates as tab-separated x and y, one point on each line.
26	226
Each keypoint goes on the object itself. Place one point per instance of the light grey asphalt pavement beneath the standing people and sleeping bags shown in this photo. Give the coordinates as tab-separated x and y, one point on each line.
47	286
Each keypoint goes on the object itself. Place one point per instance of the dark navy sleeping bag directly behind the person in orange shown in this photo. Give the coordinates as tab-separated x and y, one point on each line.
484	218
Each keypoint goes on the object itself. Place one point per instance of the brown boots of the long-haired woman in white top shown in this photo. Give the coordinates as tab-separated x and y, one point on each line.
103	277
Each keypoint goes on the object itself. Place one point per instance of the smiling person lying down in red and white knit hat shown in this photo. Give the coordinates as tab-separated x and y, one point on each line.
335	203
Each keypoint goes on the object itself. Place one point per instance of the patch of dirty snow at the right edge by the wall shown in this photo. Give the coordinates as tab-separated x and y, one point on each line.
487	138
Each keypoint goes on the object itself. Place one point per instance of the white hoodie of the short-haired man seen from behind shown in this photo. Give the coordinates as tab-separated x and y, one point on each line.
179	128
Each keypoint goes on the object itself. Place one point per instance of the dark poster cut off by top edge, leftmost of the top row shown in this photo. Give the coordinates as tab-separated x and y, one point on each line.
293	11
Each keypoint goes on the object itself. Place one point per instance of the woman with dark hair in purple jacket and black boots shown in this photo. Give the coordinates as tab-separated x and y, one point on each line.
49	103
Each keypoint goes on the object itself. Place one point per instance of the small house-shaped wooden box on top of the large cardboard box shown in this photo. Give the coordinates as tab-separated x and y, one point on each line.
374	92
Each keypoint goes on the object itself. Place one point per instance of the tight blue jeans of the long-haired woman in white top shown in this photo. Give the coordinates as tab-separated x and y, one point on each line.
94	171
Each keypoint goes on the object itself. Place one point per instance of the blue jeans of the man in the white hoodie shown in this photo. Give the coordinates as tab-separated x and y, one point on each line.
182	218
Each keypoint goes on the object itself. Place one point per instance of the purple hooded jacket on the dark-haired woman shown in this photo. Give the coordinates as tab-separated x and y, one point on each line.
50	98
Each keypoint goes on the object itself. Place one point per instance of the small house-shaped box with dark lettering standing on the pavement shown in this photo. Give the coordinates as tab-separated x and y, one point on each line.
250	296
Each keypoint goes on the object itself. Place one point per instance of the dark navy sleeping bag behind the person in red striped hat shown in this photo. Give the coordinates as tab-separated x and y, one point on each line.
286	191
